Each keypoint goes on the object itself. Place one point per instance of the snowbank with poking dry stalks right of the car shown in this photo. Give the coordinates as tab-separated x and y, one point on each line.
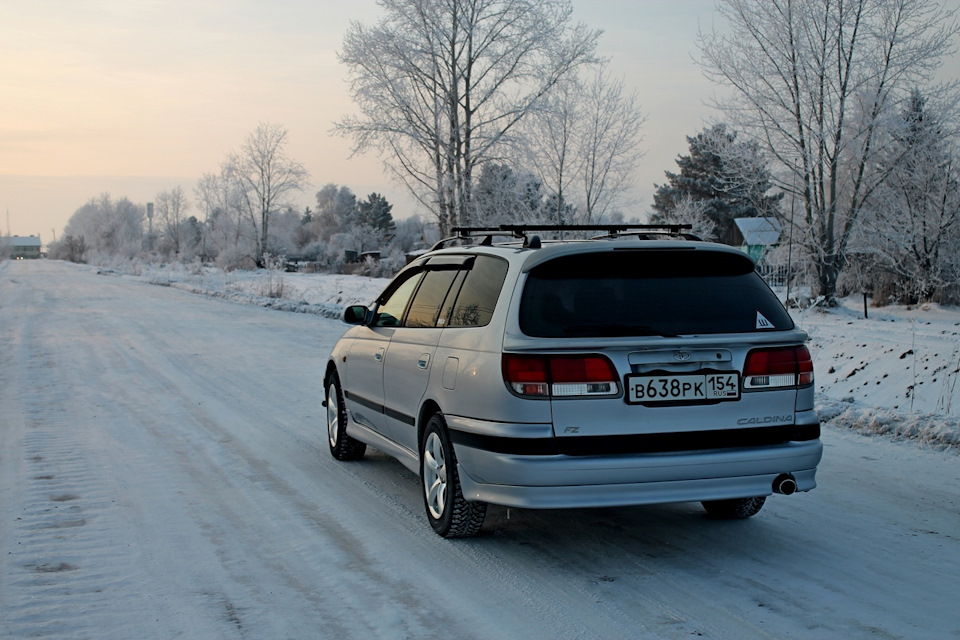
894	373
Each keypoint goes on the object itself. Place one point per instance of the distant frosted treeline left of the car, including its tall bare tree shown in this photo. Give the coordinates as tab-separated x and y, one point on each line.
241	217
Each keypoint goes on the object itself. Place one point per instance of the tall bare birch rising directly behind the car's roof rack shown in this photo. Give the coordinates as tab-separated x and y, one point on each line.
441	84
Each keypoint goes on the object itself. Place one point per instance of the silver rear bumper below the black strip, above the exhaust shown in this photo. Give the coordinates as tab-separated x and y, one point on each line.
559	481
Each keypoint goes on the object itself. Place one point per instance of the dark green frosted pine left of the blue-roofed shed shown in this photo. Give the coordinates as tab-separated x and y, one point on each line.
727	176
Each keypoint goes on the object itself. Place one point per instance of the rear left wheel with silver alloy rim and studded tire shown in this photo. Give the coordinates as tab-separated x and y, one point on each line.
449	513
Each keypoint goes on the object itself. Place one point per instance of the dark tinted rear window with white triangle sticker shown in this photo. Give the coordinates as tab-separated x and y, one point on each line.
648	292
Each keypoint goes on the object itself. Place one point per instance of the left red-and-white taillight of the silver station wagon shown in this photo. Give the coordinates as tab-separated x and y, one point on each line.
558	376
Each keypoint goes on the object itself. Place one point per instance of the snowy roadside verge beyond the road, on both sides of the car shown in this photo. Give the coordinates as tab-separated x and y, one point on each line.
893	374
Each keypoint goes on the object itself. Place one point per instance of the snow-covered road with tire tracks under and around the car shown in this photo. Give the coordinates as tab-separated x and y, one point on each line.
164	474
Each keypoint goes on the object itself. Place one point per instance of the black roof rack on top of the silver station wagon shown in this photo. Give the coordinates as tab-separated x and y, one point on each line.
609	231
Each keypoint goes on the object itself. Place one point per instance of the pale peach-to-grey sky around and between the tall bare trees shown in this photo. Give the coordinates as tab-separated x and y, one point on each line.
132	97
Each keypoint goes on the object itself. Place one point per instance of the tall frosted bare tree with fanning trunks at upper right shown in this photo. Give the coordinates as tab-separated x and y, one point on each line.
814	81
